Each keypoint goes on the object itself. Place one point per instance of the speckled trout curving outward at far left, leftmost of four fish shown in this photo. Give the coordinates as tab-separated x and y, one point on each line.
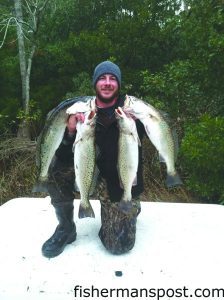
52	135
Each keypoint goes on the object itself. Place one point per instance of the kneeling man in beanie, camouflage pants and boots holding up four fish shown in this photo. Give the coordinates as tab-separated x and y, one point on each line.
118	229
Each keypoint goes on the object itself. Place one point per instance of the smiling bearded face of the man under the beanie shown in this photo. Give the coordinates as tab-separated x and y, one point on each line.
107	88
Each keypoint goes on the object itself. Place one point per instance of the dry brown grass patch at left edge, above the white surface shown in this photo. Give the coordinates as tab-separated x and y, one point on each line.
17	165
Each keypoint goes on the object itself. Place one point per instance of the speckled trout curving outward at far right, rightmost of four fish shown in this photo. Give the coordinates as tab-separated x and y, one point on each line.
159	133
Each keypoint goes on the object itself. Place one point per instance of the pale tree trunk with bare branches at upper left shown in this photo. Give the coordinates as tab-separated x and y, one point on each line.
24	25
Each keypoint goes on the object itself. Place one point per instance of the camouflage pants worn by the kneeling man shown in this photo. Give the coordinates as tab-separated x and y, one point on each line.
118	229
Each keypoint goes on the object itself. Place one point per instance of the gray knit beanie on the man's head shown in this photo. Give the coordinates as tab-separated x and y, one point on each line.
106	67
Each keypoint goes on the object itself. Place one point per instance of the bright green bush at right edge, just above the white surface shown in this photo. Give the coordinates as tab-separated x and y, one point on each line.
202	157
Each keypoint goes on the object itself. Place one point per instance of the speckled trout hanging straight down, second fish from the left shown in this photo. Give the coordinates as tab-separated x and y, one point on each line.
85	162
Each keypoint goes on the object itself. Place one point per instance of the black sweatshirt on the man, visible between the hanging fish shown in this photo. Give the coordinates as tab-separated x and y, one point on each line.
107	135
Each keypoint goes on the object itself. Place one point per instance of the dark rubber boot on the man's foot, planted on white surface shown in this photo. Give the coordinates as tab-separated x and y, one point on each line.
64	234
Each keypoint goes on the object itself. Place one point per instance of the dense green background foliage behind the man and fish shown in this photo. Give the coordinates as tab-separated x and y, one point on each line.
169	56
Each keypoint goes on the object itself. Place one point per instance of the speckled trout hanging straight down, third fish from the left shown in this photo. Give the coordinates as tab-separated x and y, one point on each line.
127	156
